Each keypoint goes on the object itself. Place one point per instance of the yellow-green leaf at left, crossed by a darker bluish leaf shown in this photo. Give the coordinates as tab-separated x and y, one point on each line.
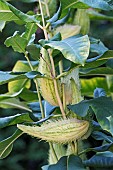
17	85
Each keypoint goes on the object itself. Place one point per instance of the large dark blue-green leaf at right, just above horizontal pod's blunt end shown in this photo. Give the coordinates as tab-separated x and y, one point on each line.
103	109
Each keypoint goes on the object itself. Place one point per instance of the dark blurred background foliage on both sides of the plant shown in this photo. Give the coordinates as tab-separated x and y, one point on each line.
25	148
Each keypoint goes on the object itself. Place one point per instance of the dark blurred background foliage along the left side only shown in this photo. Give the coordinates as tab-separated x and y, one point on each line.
25	148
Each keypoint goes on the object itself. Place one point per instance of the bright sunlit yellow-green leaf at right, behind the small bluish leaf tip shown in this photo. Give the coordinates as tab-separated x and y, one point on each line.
89	85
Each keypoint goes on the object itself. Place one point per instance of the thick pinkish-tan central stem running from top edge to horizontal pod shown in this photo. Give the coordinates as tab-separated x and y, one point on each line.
53	66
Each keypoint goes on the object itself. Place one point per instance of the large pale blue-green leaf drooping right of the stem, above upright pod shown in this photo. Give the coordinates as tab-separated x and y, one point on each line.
75	49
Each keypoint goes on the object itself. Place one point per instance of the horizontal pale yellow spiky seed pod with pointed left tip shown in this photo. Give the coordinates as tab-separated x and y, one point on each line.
59	131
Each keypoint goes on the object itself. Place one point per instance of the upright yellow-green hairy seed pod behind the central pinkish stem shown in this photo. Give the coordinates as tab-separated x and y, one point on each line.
46	85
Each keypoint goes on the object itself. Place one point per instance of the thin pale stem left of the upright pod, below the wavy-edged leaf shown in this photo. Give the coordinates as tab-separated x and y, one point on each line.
37	88
